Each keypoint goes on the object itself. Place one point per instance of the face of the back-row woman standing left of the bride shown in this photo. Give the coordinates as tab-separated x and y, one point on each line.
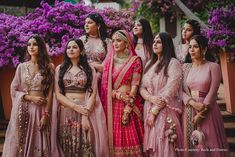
91	27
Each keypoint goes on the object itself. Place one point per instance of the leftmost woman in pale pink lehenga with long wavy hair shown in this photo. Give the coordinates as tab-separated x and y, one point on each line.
28	132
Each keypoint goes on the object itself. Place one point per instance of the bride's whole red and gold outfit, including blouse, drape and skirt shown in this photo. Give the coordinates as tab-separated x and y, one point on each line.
124	140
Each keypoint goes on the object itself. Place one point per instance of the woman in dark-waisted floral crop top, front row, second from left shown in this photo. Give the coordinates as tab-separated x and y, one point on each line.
78	121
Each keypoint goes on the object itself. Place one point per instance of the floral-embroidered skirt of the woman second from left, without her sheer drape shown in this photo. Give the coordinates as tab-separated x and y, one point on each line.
73	140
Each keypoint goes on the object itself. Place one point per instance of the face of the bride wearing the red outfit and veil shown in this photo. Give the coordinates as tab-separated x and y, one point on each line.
118	43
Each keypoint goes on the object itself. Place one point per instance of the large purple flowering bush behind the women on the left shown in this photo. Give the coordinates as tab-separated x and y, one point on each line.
56	24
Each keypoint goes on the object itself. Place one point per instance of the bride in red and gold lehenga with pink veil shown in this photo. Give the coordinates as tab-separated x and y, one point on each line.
121	101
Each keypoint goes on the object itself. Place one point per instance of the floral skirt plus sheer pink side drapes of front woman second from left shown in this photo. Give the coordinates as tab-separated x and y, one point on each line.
68	137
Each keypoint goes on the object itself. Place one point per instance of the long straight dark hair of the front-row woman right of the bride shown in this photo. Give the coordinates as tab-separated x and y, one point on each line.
168	52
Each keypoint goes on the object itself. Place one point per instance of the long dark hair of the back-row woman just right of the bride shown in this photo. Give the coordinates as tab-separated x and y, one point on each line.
147	36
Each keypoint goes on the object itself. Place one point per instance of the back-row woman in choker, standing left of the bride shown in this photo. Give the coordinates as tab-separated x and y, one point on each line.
96	41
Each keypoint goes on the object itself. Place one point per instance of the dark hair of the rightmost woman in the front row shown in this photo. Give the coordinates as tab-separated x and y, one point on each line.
202	42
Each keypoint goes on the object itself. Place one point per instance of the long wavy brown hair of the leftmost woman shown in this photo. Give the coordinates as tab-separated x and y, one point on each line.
44	64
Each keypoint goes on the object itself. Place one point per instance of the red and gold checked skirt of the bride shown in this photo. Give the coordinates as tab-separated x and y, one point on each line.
127	139
